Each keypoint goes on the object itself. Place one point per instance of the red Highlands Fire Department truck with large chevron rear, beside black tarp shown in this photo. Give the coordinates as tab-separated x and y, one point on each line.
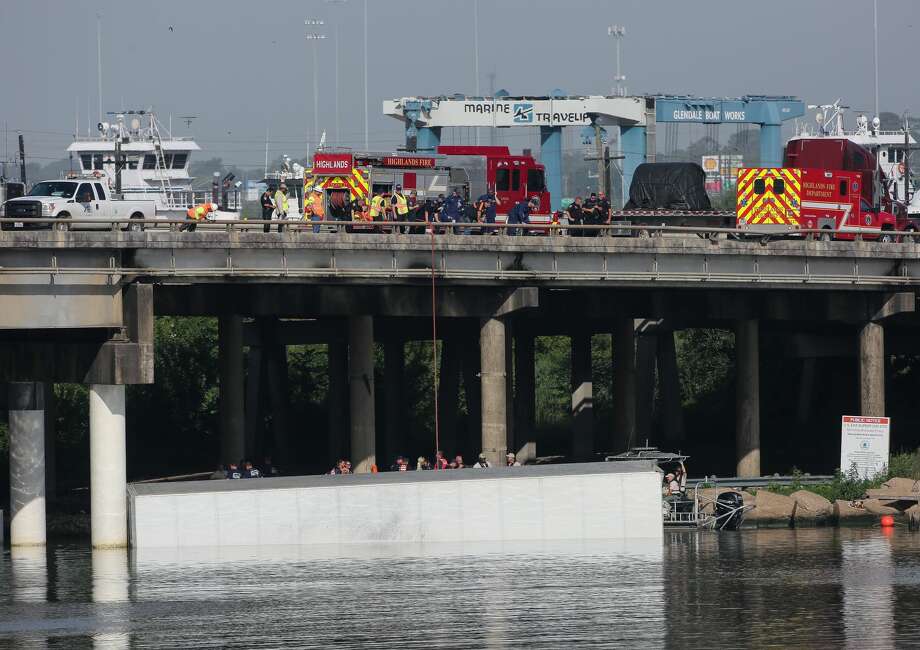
788	199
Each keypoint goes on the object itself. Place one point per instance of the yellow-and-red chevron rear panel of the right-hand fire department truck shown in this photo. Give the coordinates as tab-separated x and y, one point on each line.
769	196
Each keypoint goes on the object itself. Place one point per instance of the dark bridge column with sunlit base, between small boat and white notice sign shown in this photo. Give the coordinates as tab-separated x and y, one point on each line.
747	414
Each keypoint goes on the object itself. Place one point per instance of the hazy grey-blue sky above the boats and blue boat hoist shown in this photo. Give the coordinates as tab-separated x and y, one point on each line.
242	67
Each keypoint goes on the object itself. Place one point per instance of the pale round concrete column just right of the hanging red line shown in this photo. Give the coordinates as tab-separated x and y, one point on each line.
493	382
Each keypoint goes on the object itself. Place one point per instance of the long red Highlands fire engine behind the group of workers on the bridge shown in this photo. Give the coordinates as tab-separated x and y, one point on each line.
469	169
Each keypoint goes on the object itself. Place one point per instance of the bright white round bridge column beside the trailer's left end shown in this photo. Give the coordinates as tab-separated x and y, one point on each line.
108	485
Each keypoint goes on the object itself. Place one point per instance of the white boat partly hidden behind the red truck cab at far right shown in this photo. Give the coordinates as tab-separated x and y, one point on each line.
889	146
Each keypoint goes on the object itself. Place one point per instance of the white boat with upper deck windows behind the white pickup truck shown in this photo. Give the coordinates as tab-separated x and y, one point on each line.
155	165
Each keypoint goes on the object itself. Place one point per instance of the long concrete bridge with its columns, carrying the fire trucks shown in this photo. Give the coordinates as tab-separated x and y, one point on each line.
79	307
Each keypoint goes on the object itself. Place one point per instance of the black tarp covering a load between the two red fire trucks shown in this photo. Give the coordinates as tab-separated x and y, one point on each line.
668	186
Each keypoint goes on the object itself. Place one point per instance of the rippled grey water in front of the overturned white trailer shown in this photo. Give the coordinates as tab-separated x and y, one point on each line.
780	588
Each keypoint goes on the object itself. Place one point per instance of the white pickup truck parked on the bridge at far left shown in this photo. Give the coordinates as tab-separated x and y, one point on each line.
73	204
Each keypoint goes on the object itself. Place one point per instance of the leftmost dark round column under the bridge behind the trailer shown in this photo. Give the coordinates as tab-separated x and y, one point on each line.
232	418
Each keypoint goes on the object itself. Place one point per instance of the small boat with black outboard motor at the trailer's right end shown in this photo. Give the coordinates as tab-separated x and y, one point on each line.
689	509
